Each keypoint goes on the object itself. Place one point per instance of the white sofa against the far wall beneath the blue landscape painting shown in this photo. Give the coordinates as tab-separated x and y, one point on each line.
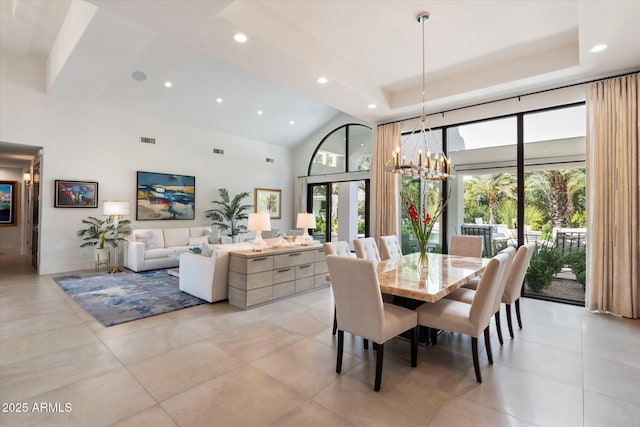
154	248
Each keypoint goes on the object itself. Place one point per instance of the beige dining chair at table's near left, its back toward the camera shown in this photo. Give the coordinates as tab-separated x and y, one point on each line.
362	312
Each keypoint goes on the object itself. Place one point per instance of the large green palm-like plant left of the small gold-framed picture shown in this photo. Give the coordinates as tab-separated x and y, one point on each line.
229	213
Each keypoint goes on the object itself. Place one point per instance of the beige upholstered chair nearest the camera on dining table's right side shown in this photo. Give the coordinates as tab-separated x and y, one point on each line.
469	319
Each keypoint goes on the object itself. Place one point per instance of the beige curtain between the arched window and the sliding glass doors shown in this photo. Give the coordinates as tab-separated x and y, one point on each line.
384	184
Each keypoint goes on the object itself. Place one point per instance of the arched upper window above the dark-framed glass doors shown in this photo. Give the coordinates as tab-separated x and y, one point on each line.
345	149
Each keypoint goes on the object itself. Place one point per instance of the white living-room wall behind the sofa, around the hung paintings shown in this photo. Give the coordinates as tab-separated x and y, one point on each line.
85	142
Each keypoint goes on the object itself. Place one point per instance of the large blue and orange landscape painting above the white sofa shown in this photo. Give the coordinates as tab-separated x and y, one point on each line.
165	196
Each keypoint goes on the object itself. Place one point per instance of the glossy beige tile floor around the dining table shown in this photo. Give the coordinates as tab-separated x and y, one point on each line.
275	365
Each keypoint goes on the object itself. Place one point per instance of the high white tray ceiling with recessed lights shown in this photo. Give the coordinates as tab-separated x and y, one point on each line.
370	52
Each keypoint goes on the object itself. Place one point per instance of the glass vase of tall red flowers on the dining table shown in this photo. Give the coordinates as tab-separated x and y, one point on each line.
422	217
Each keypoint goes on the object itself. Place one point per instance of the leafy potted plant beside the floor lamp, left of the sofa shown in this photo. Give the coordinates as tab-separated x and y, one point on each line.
100	233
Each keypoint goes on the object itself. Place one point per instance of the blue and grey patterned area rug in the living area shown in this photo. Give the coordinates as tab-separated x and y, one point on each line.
118	298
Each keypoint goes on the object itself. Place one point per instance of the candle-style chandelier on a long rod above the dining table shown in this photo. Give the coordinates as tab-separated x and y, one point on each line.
423	164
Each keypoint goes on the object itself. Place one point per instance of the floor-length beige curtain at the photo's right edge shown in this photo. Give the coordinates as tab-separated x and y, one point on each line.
613	198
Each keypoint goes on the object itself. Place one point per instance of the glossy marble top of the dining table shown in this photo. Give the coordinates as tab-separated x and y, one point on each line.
445	274
